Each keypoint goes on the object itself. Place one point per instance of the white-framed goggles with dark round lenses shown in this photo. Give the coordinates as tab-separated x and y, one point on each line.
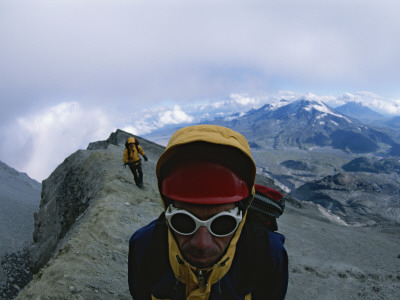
220	225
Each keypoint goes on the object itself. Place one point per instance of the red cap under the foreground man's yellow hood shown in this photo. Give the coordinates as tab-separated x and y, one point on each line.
204	183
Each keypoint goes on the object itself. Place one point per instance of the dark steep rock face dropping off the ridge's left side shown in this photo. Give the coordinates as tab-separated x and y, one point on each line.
65	196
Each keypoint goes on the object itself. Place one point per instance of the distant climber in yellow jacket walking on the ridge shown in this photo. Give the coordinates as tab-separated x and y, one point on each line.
133	160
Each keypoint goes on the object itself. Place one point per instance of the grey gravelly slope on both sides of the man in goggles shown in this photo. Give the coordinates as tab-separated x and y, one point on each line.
327	260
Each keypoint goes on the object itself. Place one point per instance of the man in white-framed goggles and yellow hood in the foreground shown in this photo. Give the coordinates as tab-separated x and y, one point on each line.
207	244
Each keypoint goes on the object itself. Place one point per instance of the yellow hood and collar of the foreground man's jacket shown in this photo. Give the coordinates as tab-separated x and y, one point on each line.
219	136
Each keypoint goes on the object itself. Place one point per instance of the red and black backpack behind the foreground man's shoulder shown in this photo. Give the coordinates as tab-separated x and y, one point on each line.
268	204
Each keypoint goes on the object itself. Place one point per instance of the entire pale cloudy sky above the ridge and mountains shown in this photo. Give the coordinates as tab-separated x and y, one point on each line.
71	72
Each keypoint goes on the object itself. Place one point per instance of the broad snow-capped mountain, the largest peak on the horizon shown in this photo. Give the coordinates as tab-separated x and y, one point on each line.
307	123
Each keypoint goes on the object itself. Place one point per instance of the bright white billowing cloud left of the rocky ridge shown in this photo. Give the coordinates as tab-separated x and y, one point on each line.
56	132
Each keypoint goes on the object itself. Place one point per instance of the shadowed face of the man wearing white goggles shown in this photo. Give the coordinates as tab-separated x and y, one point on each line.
202	249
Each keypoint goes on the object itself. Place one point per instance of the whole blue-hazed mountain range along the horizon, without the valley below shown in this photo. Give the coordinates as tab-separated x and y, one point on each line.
308	123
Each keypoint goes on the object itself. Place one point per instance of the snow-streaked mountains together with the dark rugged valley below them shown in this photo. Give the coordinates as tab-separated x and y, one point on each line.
304	144
